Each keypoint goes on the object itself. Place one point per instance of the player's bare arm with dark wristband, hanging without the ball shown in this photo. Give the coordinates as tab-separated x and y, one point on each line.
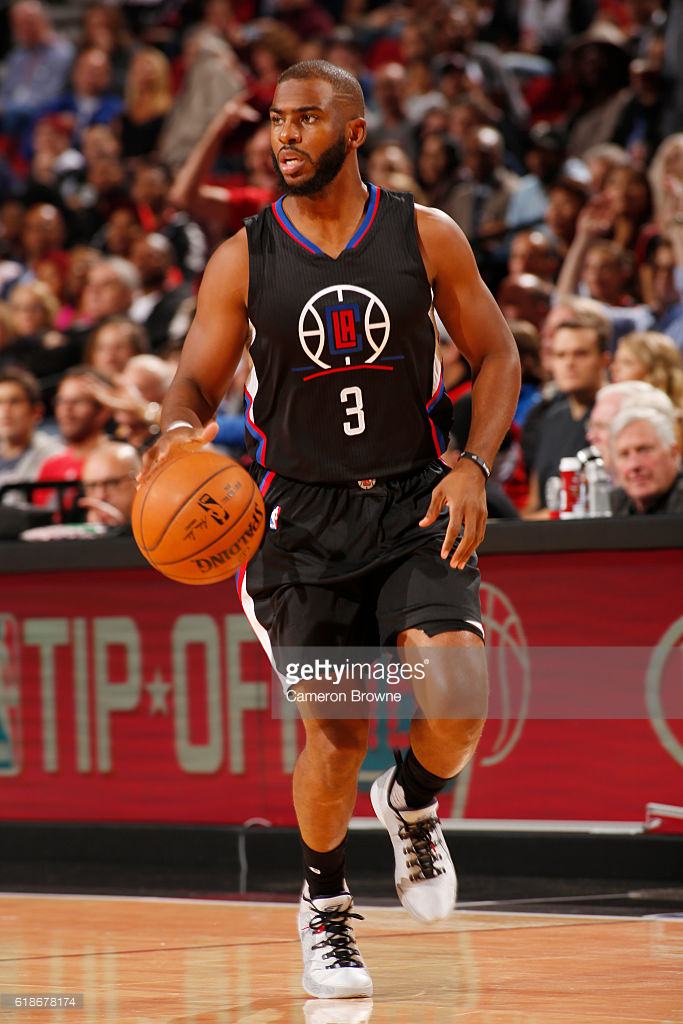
479	329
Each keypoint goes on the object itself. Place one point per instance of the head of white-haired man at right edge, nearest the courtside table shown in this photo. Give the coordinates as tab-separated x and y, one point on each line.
647	458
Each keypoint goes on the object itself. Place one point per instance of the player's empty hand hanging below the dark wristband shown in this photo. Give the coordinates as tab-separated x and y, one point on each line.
464	492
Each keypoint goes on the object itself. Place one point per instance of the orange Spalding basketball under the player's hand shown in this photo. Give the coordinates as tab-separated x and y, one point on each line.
199	518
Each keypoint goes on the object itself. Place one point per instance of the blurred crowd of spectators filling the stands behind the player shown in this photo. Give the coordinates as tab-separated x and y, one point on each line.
136	141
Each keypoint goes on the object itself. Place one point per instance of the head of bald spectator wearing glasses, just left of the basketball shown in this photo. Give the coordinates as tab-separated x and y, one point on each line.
109	485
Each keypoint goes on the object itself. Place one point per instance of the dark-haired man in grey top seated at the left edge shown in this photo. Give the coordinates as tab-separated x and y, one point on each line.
23	447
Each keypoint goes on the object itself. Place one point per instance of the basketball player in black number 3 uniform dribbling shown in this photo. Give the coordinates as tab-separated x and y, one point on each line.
332	289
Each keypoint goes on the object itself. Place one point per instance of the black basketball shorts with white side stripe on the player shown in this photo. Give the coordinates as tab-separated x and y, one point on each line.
349	566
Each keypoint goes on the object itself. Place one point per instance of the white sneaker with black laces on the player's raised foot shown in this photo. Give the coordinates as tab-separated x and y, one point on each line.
424	875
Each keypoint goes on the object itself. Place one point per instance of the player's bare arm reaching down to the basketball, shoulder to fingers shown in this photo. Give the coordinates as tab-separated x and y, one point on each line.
211	353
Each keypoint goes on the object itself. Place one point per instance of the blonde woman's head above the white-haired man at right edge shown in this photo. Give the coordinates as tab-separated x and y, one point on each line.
647	356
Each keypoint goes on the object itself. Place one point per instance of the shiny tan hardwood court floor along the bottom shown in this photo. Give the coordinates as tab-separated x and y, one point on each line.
194	962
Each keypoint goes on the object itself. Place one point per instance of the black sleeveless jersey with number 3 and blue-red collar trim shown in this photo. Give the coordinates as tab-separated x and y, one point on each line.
347	381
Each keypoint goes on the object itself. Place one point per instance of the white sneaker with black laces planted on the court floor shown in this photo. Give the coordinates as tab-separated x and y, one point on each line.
333	967
